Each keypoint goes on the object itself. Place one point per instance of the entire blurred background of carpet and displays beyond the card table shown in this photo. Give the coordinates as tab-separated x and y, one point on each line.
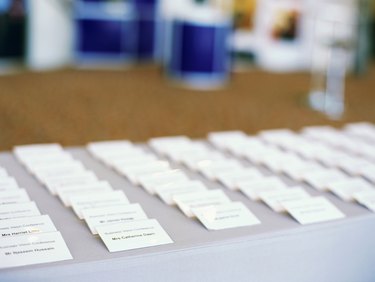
74	71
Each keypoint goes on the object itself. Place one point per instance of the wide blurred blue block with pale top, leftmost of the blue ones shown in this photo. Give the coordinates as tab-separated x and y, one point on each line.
105	31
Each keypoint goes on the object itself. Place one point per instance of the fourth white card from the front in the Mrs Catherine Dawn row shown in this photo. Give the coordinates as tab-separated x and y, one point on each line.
66	192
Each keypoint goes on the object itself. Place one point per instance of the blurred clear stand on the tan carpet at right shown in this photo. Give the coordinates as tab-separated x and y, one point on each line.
332	56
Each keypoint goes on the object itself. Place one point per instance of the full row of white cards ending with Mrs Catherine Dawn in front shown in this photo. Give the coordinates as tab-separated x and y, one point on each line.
107	212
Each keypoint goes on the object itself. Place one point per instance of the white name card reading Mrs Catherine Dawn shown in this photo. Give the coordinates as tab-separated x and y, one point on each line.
133	235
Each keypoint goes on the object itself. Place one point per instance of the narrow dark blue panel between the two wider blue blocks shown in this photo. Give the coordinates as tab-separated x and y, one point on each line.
147	22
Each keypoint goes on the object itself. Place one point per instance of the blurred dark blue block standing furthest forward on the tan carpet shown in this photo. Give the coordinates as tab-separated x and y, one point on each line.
199	55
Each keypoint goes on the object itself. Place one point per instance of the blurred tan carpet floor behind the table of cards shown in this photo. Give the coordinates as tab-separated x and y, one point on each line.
77	106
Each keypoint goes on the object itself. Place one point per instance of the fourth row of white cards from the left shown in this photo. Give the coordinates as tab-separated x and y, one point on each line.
232	174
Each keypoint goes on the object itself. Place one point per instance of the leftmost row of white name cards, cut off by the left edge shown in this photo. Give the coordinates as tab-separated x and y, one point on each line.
26	236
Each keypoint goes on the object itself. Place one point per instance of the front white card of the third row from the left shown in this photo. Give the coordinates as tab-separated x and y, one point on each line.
225	216
